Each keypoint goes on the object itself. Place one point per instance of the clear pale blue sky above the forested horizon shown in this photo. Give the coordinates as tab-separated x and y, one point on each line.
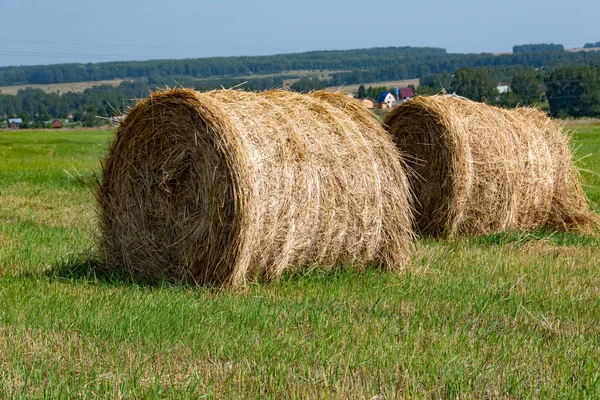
48	32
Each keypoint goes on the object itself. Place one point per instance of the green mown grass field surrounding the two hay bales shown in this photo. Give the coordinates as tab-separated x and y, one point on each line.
502	316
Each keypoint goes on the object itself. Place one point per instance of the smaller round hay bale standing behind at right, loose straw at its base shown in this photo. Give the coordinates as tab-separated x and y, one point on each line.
477	169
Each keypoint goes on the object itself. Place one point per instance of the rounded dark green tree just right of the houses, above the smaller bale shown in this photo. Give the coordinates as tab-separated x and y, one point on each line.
474	84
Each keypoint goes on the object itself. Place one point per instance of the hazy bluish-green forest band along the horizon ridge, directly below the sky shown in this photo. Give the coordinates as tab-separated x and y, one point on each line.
352	66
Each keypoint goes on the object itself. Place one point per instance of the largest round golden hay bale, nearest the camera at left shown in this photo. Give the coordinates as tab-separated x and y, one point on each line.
214	188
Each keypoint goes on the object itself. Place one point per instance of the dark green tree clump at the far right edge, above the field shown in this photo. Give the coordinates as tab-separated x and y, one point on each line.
574	91
